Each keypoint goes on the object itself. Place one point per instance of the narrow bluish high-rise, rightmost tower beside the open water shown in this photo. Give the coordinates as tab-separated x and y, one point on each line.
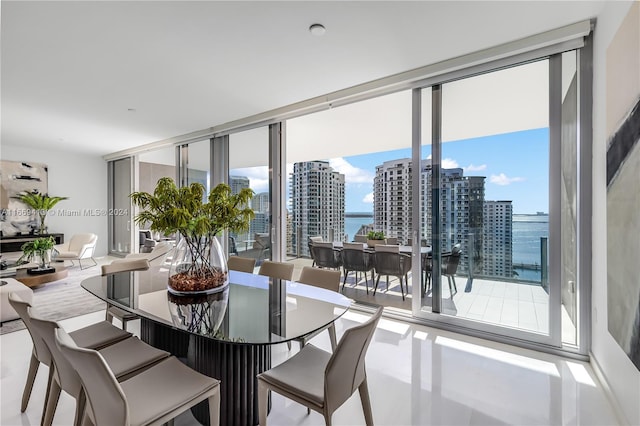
497	239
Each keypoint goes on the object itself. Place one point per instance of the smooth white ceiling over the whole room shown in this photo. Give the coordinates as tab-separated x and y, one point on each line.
71	70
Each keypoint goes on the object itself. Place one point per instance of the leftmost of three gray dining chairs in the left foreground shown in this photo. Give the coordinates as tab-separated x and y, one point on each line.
94	336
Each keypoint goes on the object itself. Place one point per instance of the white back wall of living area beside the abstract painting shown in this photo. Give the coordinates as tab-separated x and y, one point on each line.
82	178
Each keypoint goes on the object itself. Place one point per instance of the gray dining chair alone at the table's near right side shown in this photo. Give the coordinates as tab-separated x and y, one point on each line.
320	380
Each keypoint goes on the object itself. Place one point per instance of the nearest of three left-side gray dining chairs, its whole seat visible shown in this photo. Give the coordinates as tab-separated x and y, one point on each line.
152	397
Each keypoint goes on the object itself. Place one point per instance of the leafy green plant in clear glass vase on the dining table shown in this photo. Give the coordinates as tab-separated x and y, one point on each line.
198	263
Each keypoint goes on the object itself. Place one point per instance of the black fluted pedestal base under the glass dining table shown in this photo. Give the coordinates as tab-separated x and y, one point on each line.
234	364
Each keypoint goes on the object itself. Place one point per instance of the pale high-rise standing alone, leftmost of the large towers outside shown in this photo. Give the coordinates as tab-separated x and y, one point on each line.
317	204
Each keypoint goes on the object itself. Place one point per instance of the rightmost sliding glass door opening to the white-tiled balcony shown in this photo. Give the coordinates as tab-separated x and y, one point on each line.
498	196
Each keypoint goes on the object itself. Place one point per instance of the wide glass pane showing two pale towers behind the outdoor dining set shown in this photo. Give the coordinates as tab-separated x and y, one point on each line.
349	171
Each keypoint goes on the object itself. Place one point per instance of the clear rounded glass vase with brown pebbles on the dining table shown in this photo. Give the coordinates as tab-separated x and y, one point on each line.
198	267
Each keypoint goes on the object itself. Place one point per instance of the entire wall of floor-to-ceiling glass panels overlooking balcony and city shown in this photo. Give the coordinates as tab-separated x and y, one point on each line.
475	172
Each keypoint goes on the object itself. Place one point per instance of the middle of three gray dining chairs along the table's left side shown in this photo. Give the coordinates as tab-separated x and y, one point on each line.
125	359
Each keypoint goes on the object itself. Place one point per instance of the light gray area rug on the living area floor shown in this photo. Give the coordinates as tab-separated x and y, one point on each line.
62	299
